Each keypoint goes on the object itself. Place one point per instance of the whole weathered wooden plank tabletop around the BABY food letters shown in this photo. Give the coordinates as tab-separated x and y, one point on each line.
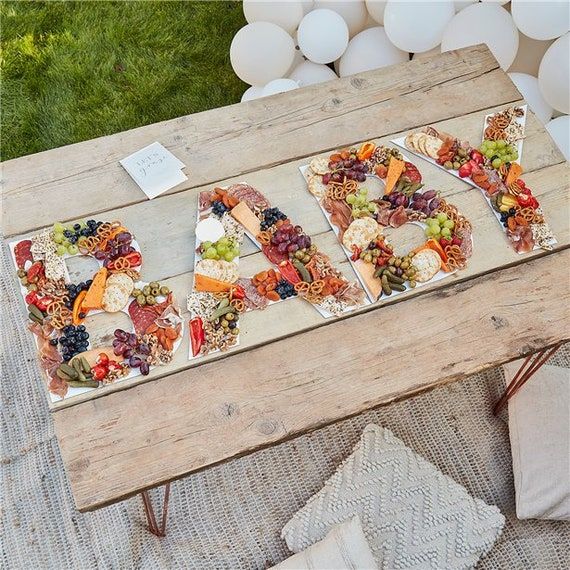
295	371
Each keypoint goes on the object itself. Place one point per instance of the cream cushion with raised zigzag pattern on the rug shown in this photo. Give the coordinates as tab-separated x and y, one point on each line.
412	514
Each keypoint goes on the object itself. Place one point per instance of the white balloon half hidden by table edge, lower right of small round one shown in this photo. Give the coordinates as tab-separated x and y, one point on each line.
370	49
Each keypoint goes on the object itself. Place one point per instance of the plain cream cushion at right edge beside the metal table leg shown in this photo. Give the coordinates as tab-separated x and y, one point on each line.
539	428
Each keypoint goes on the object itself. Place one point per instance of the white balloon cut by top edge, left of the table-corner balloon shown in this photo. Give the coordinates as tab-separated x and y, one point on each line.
417	26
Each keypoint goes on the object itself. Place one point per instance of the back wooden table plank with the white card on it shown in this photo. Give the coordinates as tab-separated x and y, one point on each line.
86	178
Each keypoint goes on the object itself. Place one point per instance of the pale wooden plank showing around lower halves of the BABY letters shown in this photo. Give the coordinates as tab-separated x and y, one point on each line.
491	251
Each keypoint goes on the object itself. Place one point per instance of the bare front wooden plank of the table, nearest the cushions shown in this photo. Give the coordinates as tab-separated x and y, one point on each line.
114	447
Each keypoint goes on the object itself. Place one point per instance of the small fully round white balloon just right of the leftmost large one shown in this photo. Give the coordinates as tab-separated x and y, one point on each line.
323	36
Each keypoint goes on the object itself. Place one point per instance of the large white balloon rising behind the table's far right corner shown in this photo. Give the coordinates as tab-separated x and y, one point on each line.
483	24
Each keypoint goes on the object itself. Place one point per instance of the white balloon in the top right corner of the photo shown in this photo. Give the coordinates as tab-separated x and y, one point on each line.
541	20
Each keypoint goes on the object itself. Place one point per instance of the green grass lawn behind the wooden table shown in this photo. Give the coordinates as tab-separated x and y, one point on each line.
72	71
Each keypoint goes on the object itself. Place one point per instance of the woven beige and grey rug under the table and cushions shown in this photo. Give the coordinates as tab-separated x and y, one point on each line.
231	515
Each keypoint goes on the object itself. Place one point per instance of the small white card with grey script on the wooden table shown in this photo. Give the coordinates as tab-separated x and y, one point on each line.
155	169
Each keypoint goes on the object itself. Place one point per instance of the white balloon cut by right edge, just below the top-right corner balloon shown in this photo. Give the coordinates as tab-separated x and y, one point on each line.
554	74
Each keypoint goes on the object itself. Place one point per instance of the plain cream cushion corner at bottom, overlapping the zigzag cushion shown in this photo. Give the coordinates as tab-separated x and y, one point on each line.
344	548
